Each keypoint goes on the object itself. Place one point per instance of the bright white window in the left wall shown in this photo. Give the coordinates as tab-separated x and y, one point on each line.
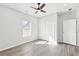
27	28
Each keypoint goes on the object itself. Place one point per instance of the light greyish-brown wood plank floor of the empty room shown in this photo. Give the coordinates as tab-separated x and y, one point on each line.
33	49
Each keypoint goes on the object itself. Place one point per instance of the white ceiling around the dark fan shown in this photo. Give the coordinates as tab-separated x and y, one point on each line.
50	8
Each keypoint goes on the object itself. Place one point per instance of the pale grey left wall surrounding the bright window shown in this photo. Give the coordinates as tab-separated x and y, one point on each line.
11	28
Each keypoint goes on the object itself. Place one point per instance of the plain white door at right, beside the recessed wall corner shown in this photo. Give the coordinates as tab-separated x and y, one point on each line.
69	31
